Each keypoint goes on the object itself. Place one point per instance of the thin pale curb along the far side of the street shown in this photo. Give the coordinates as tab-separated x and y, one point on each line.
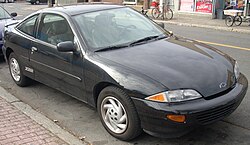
229	29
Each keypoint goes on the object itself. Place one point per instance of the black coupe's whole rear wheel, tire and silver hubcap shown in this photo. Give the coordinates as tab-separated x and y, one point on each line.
16	71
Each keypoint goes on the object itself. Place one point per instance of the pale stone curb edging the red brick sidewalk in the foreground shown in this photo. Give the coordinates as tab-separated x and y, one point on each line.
41	119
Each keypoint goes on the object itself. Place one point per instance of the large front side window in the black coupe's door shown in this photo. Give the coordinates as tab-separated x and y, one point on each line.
54	29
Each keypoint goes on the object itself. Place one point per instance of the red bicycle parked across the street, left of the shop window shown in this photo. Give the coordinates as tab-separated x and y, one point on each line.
166	12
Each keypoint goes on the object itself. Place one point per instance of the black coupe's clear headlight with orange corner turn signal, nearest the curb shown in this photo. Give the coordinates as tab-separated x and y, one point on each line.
175	96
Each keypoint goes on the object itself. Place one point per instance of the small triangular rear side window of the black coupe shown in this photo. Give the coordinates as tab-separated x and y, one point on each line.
28	25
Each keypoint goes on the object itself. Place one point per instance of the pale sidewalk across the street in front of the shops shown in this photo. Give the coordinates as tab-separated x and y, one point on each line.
200	20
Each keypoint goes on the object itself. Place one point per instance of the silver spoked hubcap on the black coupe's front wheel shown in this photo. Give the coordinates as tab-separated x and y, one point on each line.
114	115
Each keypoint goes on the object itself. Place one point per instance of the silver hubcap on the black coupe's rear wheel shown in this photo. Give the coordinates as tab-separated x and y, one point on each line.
15	69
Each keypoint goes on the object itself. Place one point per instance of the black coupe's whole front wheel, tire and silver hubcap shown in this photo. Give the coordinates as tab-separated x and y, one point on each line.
114	104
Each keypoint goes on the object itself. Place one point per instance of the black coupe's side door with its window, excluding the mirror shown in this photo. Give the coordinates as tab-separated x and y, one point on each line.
60	70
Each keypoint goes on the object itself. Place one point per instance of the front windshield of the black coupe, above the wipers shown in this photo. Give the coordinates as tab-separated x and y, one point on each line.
116	27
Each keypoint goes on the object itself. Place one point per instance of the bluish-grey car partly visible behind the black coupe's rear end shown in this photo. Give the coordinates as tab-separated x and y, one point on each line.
5	18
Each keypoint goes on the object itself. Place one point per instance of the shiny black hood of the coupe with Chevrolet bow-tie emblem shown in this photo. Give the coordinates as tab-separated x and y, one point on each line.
178	63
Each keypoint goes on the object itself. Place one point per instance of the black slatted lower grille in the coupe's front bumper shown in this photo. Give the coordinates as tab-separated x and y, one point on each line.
215	114
